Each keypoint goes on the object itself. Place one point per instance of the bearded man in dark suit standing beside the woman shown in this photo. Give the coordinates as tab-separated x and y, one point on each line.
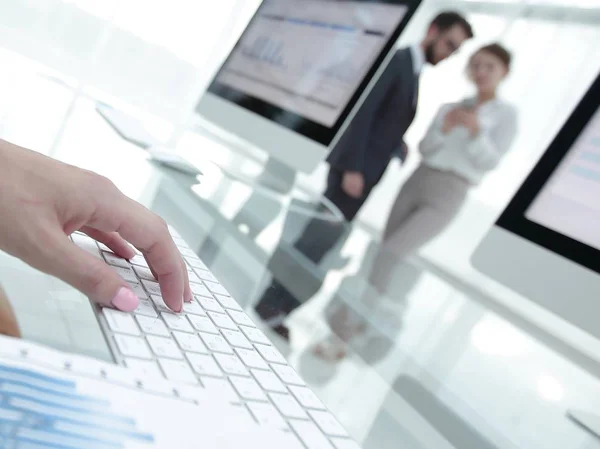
364	151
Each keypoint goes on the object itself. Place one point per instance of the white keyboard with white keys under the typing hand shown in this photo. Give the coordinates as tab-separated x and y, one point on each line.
212	345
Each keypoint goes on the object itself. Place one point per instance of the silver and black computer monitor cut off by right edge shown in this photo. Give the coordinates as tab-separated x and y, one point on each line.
546	244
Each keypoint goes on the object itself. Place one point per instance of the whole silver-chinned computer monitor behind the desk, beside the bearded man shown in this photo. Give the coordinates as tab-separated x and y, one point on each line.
298	71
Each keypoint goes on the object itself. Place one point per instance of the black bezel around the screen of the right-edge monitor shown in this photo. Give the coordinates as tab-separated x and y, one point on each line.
514	219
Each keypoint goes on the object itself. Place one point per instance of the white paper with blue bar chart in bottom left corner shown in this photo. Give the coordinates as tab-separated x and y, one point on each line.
54	400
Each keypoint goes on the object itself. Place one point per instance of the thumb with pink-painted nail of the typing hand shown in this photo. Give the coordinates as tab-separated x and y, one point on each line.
84	269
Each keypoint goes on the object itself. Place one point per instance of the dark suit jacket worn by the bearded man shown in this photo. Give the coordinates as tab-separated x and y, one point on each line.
376	132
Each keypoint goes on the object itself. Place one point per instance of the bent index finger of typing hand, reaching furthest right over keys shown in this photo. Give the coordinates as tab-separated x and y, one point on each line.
149	233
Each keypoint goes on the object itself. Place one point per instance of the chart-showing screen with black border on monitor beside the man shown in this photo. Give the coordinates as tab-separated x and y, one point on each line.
302	63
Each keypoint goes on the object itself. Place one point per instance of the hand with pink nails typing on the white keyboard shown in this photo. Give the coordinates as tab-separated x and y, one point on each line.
43	201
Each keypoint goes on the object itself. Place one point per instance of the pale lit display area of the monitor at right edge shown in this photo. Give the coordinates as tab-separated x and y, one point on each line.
570	201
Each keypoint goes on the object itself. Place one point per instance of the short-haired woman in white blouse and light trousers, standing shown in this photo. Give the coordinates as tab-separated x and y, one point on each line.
465	141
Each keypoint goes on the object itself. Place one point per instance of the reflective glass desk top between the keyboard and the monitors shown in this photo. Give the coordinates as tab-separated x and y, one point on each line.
444	372
